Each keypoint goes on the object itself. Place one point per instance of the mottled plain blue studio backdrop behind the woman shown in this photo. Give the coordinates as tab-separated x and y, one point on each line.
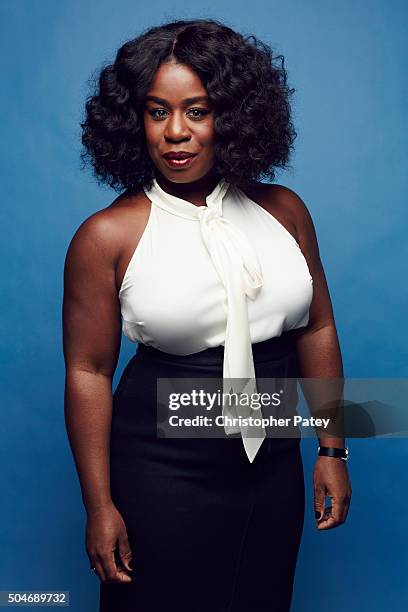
348	63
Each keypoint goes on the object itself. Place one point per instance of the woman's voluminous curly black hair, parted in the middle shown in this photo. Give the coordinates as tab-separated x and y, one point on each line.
246	84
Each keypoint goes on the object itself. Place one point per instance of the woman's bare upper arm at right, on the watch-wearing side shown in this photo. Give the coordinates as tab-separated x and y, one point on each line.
321	310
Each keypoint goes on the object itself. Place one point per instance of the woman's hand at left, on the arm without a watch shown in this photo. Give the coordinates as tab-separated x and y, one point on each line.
105	529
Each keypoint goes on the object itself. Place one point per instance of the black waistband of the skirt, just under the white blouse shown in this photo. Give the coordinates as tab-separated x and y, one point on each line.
267	350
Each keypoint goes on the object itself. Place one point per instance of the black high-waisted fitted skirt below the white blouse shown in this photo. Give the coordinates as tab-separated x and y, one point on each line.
209	531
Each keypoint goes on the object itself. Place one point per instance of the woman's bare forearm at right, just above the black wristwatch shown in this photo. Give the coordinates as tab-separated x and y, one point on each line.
320	358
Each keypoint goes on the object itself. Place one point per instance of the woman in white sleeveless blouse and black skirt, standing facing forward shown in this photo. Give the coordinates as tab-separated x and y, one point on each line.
213	274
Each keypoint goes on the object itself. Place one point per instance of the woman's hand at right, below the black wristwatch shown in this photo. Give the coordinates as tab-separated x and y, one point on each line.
330	477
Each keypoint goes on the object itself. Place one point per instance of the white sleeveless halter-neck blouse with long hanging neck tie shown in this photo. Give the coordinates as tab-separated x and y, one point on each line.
227	273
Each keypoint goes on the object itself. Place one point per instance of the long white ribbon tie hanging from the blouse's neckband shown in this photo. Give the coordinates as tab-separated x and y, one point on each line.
239	270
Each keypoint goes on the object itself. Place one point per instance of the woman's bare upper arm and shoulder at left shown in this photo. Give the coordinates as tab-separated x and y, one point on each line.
91	308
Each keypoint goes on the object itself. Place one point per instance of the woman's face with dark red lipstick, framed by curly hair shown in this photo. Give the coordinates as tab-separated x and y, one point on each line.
178	118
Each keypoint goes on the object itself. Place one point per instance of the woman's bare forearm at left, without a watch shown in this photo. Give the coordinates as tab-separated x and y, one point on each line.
88	415
